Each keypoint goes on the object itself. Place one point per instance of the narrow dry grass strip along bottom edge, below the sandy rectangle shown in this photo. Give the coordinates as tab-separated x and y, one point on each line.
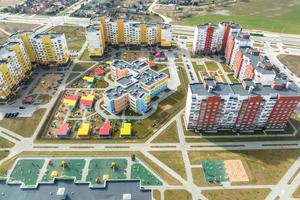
242	194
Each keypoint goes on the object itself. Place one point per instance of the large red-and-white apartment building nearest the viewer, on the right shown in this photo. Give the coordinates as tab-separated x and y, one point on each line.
247	106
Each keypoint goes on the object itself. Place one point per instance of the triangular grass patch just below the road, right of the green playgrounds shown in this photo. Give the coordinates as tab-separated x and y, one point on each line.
175	161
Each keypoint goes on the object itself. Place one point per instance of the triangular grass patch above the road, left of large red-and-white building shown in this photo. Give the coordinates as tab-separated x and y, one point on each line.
169	135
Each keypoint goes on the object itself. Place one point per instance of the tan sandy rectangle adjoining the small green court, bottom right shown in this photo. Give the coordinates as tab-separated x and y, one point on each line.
236	171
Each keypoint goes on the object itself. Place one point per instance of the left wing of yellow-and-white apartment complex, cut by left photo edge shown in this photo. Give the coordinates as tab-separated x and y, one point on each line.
15	66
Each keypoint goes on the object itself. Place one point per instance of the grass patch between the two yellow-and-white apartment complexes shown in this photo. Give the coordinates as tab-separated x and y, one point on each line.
75	36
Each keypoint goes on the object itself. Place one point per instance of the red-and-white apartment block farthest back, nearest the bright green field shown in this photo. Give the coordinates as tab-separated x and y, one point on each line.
209	38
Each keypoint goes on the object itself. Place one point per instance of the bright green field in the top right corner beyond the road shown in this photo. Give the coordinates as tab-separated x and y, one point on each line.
269	15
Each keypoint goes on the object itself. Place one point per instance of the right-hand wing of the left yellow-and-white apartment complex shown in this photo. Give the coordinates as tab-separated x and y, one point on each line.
51	49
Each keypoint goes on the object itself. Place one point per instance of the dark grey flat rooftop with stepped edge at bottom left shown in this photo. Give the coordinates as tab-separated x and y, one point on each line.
66	189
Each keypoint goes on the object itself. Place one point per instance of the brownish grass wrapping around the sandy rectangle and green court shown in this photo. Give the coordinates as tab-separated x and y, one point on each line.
262	166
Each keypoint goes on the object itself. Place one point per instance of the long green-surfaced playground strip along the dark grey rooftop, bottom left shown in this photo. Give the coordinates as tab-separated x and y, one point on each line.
29	172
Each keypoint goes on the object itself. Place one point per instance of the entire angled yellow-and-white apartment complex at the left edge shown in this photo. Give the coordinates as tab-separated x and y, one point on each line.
17	57
